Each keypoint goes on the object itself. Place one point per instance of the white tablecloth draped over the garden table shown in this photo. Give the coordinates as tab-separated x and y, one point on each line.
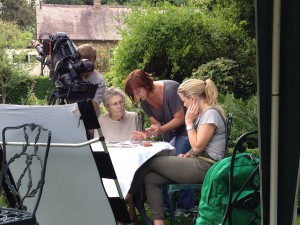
127	157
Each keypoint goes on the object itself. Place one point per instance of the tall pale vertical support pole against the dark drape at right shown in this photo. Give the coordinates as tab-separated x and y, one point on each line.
275	111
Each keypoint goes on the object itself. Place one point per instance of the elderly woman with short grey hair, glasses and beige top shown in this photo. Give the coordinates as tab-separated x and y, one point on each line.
117	124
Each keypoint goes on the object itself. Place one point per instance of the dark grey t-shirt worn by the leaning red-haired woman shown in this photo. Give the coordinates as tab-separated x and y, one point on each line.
171	104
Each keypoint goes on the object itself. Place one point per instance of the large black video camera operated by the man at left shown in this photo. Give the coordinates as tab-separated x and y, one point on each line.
59	53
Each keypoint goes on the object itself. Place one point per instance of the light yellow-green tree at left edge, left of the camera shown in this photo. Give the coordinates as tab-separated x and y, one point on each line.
11	74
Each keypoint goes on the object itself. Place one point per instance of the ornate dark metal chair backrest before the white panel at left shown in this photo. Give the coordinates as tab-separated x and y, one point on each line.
25	153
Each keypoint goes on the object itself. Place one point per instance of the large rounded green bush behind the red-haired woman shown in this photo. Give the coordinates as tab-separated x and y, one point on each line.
172	42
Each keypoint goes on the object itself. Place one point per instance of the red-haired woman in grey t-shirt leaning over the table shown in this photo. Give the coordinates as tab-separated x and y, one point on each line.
164	108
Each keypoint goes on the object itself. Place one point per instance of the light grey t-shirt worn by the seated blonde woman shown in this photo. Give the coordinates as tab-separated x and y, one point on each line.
216	146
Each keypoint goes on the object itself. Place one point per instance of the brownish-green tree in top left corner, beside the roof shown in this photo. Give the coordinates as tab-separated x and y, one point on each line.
20	11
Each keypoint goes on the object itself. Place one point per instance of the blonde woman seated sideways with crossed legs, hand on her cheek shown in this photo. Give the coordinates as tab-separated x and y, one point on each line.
206	128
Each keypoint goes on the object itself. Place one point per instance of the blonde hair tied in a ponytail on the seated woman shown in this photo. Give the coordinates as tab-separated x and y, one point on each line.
206	89
